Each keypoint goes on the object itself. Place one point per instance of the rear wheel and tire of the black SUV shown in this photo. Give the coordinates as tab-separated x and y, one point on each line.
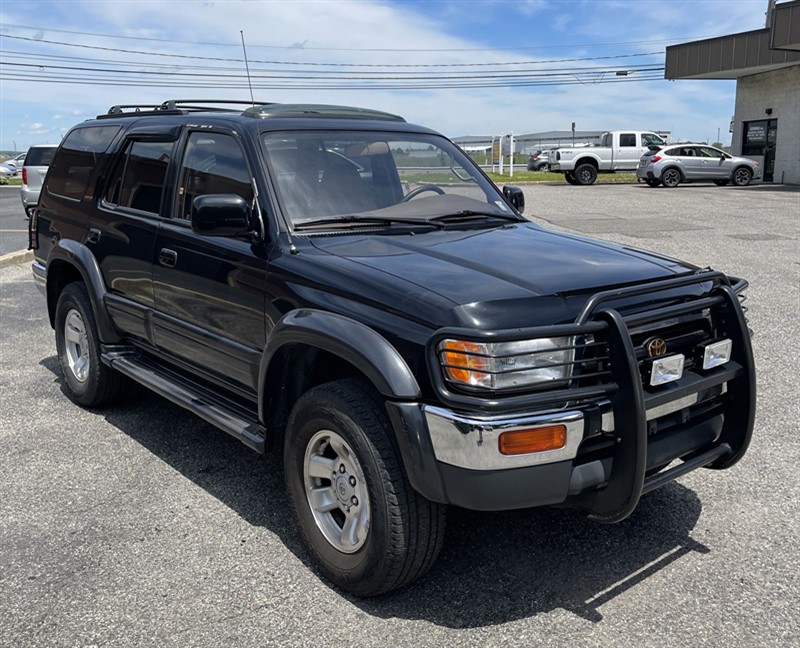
89	382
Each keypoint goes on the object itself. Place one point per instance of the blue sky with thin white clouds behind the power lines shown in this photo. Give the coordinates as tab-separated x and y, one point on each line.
63	62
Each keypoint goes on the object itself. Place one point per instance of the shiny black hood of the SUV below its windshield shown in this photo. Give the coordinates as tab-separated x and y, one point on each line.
479	271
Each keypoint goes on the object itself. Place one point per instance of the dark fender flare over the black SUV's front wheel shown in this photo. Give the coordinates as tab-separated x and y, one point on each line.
357	343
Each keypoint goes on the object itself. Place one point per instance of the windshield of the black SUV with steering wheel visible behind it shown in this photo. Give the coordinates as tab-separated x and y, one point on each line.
325	176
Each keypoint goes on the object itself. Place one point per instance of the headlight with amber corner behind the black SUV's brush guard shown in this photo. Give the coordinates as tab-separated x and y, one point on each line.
507	365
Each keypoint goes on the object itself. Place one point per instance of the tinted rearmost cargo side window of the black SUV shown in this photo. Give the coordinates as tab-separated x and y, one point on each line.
77	158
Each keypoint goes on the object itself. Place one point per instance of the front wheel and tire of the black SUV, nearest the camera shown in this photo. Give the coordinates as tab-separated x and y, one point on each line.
366	528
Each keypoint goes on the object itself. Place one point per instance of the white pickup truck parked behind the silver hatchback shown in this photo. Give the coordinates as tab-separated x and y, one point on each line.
618	151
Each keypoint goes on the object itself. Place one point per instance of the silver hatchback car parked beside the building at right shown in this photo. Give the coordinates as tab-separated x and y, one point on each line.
675	163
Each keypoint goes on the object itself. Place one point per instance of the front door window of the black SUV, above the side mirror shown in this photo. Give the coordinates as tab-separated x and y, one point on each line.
214	163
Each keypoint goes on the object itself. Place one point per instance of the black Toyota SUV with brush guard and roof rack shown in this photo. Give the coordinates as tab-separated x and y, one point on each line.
351	291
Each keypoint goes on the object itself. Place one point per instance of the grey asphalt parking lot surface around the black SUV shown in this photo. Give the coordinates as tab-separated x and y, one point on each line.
144	526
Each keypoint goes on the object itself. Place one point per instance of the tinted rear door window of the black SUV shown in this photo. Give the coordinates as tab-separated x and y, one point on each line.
138	178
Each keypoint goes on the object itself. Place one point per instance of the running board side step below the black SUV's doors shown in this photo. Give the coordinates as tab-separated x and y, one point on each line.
226	415
